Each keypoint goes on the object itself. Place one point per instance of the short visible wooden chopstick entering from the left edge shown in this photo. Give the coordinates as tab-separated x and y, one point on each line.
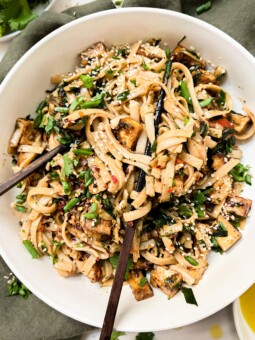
22	174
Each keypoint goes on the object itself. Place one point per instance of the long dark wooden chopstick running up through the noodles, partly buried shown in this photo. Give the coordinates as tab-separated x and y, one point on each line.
130	229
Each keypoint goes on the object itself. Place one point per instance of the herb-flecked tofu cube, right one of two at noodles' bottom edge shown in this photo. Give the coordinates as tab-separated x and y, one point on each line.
168	280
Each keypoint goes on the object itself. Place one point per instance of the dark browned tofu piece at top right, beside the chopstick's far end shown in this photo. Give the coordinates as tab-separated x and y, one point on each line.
181	54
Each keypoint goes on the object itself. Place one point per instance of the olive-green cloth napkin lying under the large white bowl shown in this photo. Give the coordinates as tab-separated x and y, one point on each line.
32	319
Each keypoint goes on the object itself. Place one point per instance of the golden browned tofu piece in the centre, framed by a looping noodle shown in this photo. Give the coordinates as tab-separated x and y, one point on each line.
128	132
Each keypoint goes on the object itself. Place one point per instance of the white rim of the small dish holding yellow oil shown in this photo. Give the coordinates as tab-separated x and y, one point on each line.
243	330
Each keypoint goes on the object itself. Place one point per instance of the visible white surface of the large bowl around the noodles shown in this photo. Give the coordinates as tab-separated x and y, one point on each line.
228	275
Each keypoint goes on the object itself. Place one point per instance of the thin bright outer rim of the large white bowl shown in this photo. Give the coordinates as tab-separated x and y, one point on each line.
77	22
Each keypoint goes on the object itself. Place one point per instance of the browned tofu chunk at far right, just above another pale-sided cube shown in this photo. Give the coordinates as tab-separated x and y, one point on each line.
238	205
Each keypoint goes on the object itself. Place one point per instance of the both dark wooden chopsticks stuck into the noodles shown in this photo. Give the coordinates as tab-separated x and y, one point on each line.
130	230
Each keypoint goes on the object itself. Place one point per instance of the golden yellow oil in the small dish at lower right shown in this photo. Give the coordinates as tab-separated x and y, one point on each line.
247	304
